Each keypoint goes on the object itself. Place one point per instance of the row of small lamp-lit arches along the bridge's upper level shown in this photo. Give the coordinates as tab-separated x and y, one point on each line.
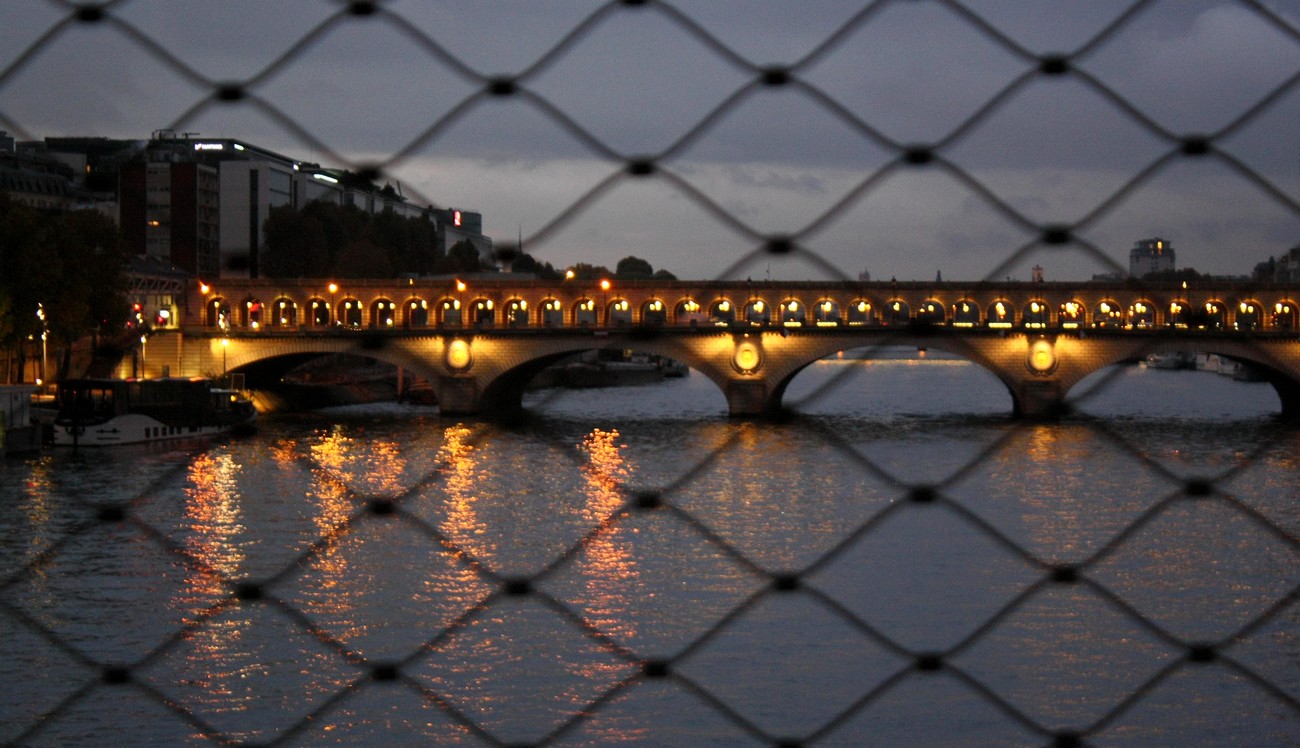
517	313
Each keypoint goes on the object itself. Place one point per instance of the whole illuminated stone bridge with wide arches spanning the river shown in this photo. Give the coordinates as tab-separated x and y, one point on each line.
479	343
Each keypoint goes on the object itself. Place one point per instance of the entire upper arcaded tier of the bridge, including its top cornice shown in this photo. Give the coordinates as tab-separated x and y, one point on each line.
491	304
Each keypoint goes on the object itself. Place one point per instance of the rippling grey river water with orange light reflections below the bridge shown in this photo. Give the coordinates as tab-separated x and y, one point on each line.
877	572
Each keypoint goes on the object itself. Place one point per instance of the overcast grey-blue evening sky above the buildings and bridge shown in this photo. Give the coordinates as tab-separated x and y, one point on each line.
777	161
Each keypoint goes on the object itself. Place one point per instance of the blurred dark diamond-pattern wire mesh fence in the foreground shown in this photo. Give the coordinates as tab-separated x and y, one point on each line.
125	524
